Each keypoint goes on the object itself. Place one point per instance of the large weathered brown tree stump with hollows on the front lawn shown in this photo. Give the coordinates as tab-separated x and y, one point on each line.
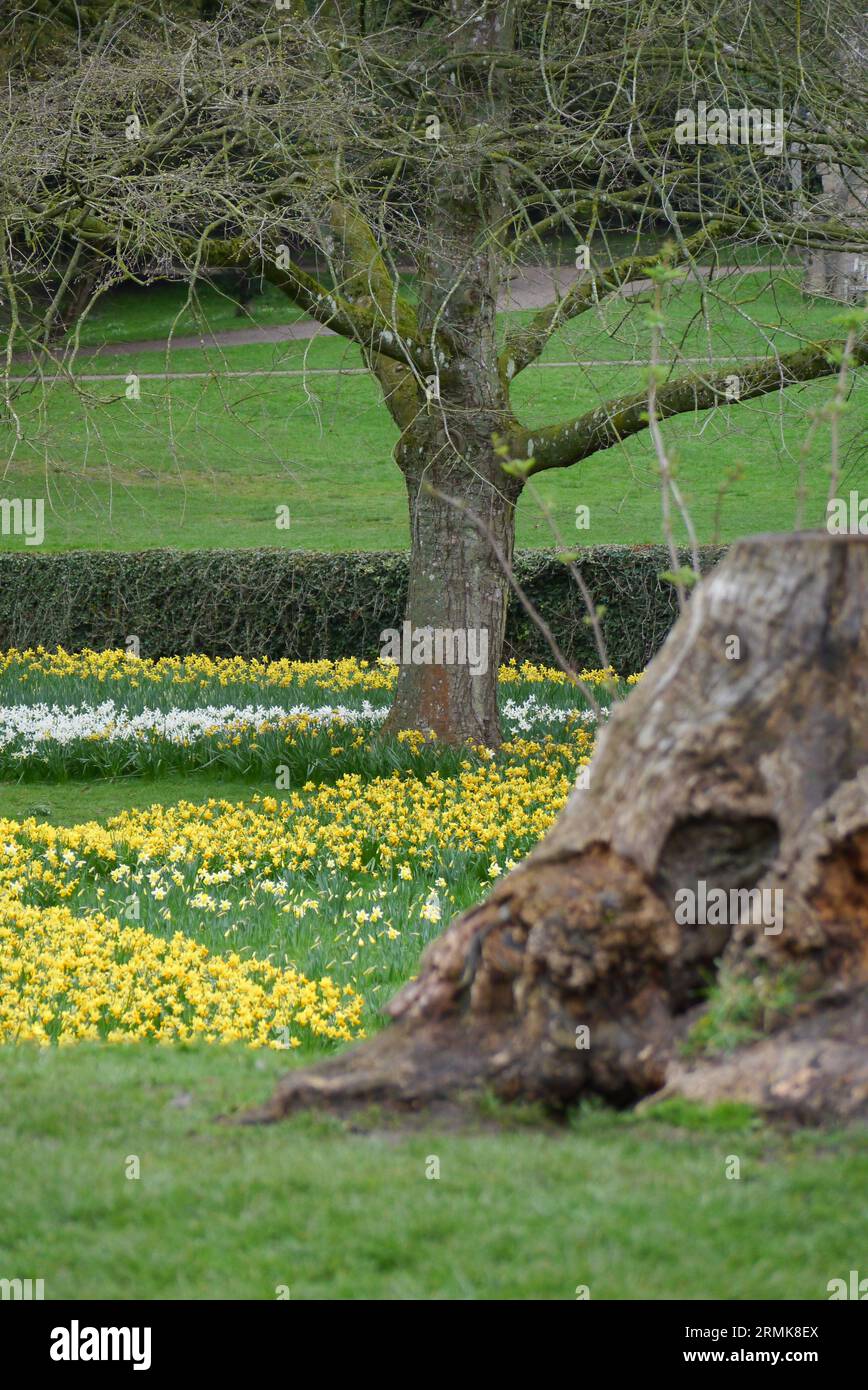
738	764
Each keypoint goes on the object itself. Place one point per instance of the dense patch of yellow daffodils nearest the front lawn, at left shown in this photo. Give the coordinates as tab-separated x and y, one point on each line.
66	978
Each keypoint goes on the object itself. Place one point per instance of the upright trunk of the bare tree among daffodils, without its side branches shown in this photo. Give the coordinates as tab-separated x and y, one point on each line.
460	497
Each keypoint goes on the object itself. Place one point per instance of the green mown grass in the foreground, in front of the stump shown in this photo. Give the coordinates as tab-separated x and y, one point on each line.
631	1207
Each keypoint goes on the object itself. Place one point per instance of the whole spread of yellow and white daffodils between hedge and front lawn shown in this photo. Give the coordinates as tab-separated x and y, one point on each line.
280	921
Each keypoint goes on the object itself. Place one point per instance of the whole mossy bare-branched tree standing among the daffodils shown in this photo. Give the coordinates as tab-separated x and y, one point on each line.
453	137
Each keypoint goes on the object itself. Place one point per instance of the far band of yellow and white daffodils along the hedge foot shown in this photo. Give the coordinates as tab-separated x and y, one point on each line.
111	715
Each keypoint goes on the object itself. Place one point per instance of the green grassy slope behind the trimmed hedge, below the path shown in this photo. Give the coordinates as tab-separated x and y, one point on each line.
204	464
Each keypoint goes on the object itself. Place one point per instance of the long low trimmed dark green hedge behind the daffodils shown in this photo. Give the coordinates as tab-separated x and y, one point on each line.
307	605
